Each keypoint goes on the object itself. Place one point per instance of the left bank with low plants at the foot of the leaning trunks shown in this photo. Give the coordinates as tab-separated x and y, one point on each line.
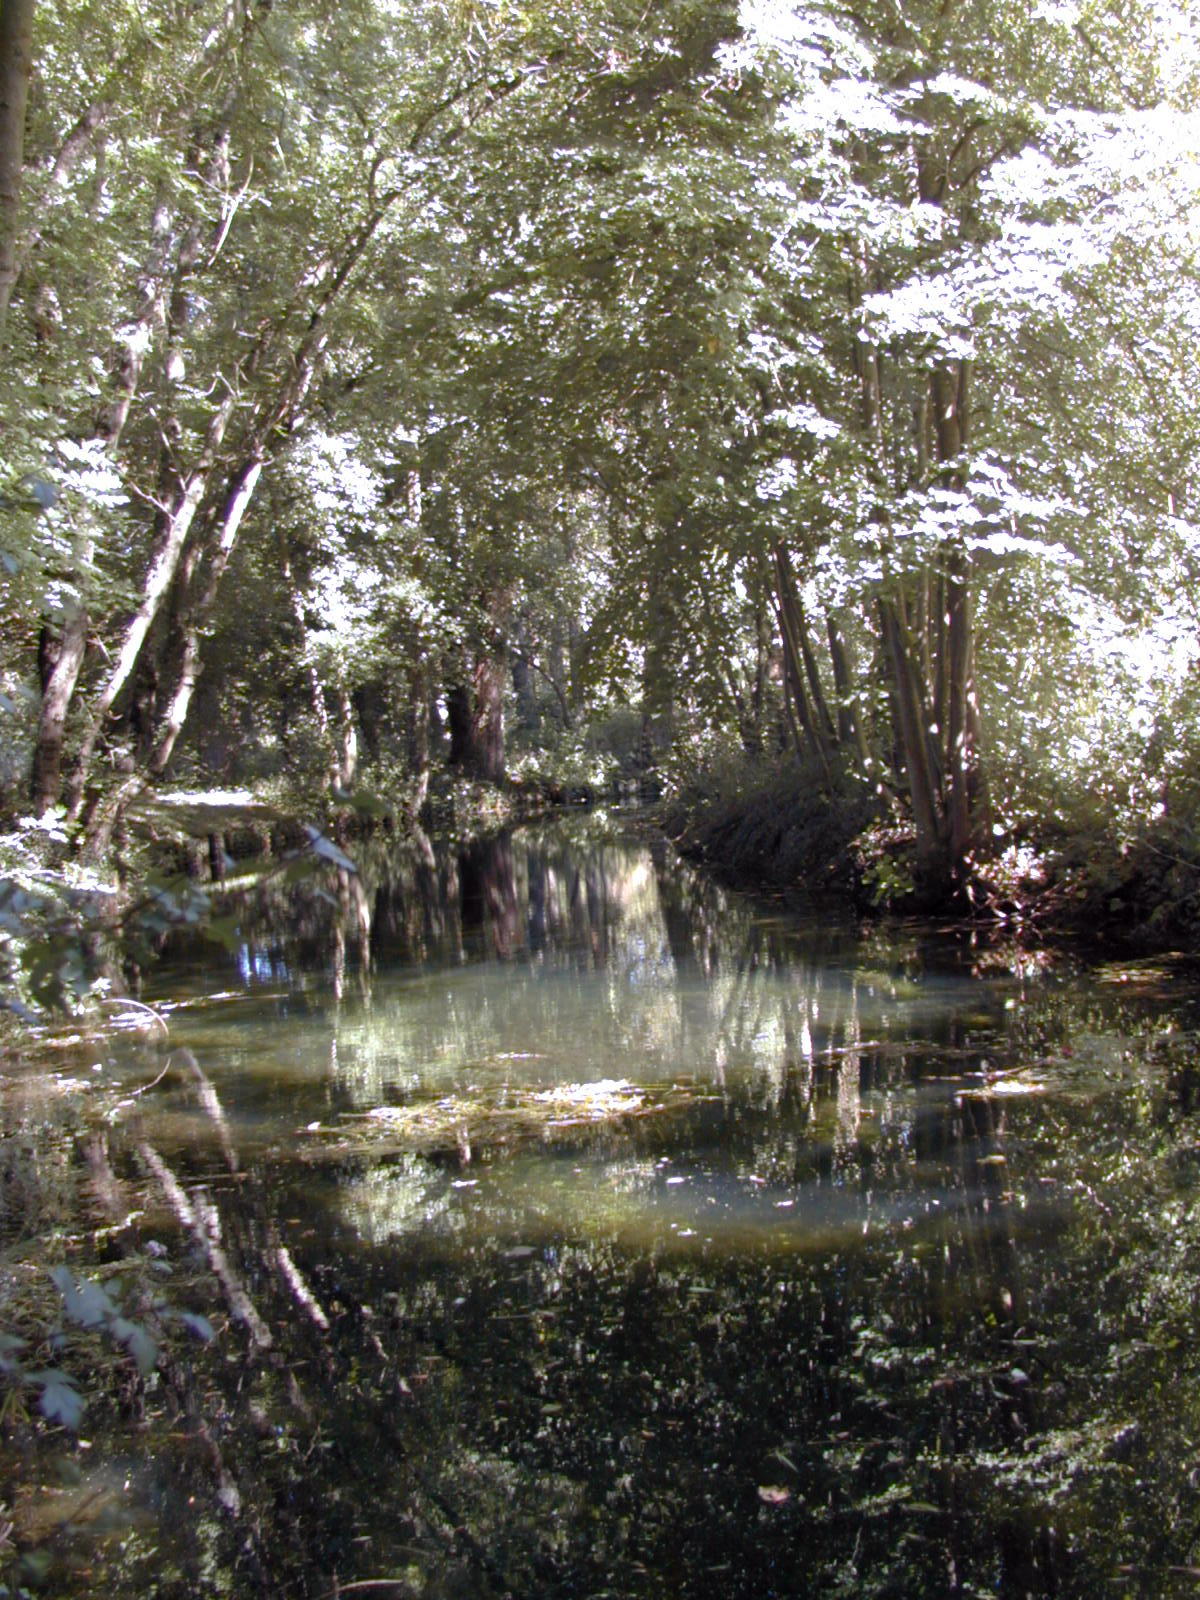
73	926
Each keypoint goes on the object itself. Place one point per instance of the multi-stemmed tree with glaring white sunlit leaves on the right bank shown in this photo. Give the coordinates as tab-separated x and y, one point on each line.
890	431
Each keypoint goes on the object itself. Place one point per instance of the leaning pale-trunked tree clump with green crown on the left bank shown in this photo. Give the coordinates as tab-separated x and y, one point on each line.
244	290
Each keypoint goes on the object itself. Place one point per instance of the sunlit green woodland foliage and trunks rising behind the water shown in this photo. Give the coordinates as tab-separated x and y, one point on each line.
593	388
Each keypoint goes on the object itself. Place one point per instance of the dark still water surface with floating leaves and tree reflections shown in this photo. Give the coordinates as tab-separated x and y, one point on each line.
610	1234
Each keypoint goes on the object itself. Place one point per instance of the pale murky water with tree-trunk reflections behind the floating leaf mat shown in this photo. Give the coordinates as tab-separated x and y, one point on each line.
540	961
